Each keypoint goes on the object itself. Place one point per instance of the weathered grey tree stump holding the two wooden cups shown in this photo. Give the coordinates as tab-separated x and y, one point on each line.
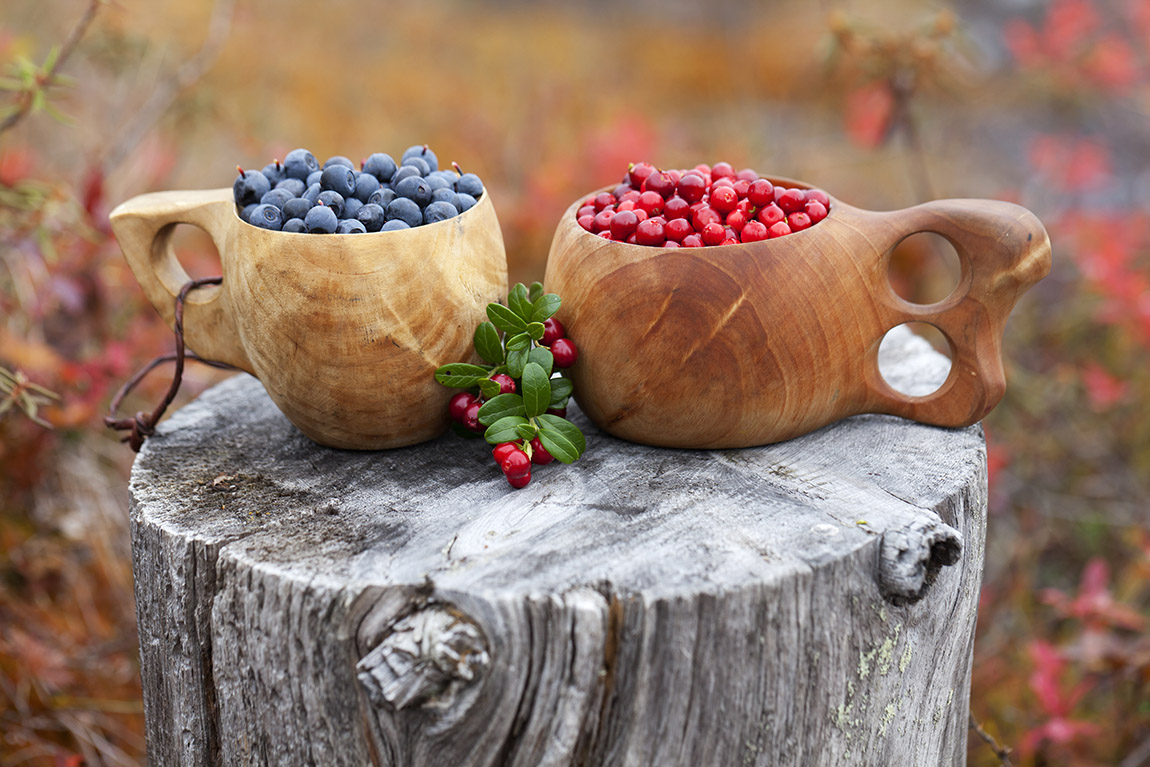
808	603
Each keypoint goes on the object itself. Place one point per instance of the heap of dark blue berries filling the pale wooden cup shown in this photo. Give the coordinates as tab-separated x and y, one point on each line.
298	196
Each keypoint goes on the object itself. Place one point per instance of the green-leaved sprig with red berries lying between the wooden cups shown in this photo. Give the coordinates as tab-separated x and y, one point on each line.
518	400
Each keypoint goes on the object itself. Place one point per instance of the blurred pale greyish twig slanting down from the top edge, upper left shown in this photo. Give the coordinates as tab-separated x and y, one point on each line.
165	95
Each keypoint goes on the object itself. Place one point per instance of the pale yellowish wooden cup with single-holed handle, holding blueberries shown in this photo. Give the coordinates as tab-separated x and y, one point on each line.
346	332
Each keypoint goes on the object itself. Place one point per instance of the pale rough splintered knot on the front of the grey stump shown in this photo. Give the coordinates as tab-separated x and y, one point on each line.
428	657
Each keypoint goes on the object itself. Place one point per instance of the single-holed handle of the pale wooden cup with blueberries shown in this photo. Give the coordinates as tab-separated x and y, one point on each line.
144	227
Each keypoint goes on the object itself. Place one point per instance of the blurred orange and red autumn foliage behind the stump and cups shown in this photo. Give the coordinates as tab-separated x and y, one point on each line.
884	104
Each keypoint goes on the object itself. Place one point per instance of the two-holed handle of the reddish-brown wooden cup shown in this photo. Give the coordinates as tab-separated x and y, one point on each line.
1005	250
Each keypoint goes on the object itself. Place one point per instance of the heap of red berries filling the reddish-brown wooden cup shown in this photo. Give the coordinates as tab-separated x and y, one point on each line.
708	205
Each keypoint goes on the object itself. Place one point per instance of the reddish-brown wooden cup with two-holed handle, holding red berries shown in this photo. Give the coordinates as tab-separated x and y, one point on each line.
750	344
